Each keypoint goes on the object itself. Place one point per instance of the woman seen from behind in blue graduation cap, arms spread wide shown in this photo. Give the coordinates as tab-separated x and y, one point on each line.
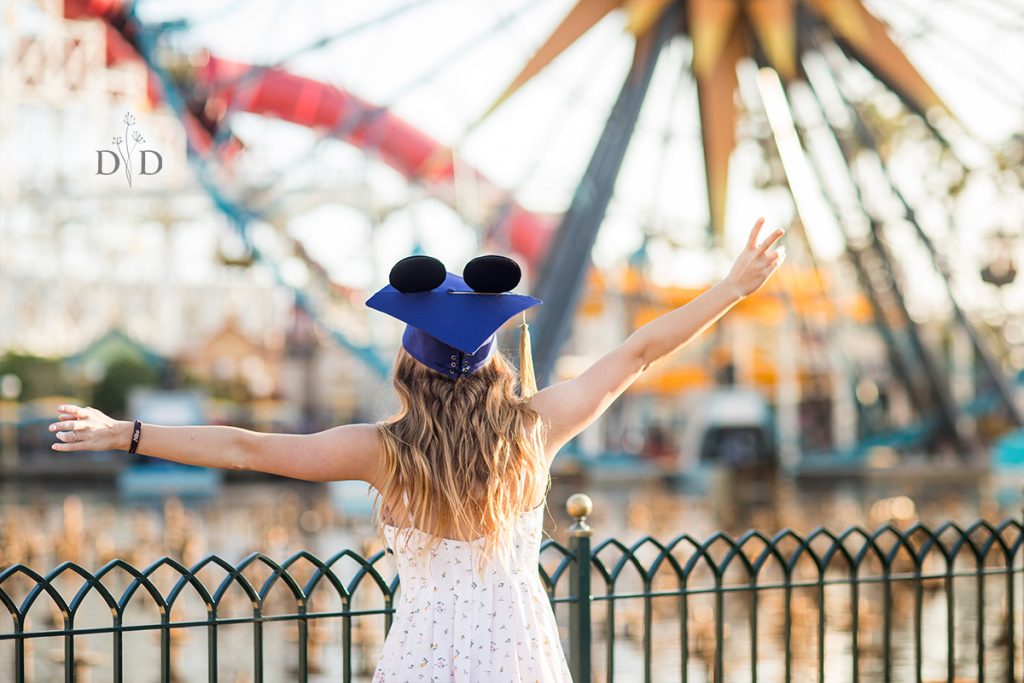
461	471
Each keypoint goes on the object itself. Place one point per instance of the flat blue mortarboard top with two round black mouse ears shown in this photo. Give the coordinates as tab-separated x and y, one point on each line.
463	313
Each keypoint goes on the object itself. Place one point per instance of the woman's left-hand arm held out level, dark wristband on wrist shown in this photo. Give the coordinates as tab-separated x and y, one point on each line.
350	452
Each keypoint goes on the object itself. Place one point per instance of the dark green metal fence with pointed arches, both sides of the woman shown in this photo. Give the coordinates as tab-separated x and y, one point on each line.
894	605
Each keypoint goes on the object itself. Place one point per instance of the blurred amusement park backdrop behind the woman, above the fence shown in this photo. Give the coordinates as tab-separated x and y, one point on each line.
197	198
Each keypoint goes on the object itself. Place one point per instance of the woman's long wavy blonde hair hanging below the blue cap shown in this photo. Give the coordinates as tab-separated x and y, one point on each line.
468	454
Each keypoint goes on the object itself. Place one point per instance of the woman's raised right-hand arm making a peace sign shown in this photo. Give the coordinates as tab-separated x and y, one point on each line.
568	408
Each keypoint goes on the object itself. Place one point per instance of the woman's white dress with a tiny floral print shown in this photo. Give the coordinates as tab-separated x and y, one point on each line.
452	627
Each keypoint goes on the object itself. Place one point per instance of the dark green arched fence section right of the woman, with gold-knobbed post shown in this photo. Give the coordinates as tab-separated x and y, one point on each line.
867	587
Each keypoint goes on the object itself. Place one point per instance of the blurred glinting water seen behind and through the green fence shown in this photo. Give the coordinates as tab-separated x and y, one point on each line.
44	527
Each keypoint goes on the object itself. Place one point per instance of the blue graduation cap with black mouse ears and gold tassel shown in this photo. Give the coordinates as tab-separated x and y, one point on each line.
452	322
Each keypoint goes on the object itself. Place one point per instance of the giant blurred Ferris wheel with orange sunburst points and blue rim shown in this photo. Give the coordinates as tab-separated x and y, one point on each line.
628	108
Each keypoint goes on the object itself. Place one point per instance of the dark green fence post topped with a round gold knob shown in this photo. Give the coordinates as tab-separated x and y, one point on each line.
580	506
